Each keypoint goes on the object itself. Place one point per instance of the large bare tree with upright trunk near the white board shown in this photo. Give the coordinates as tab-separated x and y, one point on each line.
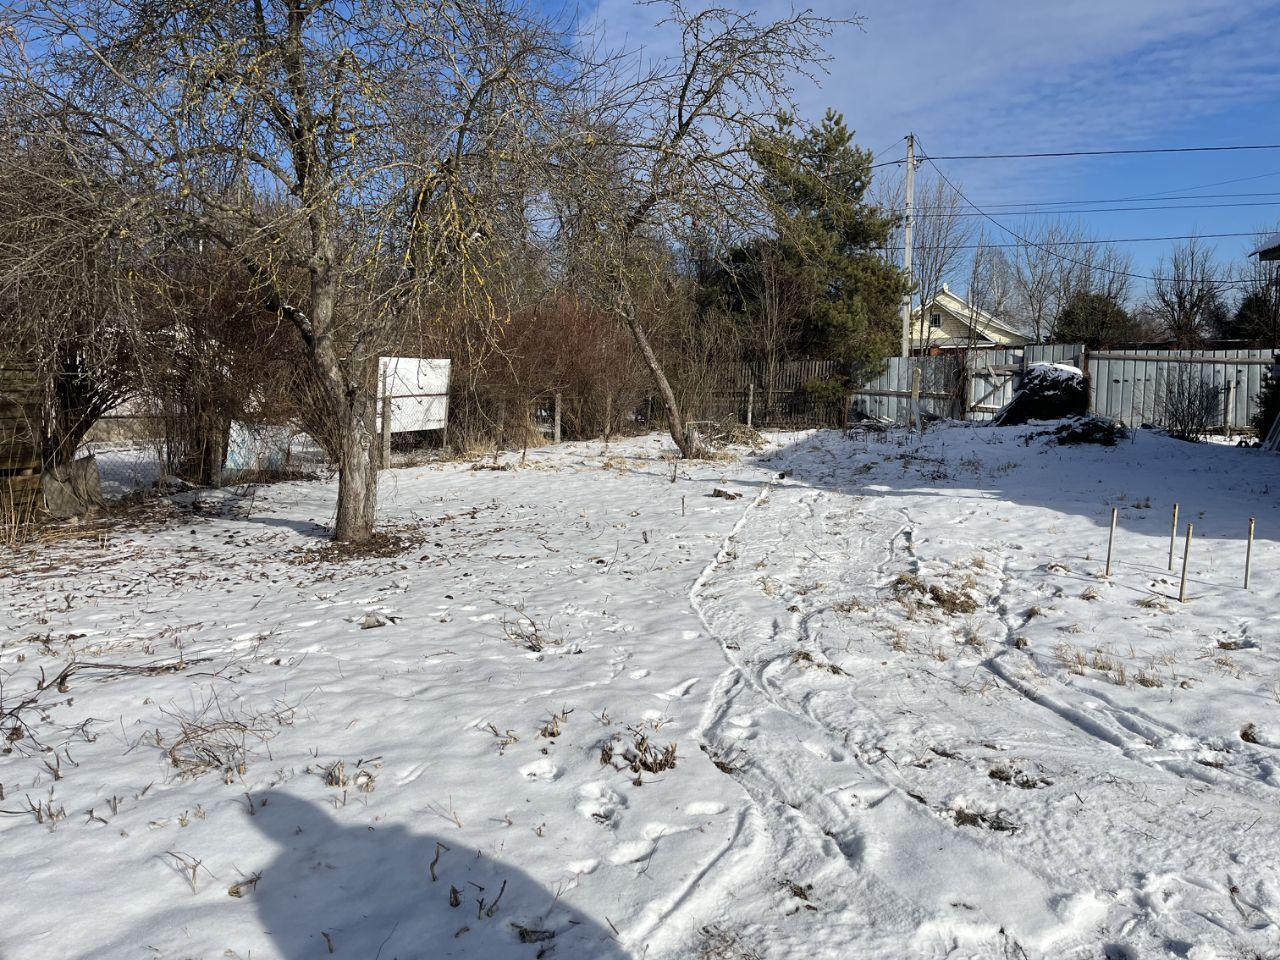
344	153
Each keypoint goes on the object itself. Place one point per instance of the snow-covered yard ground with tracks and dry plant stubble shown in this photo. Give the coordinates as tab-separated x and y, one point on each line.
883	705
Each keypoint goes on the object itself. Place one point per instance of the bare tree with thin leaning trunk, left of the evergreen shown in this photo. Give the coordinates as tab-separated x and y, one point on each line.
670	152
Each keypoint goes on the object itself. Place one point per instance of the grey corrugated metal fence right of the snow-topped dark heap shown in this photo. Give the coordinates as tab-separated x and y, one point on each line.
1131	385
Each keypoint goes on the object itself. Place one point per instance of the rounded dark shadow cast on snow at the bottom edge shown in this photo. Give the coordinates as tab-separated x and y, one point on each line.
367	893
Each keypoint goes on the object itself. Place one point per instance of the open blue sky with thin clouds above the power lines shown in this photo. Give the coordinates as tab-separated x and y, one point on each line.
1018	76
